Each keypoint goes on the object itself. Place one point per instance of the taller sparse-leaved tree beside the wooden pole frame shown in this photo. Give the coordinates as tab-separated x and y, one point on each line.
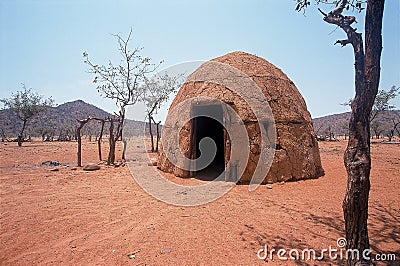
122	83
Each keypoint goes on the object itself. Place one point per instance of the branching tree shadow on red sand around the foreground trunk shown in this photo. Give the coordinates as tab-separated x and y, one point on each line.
384	230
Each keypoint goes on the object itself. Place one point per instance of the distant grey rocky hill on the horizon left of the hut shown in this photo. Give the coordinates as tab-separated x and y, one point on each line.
62	119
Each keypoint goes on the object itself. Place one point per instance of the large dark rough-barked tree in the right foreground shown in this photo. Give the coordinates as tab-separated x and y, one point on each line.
357	158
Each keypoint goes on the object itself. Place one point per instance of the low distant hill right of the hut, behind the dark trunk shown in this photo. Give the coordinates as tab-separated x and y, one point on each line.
338	122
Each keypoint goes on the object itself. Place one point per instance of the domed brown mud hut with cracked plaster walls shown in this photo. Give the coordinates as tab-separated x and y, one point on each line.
295	154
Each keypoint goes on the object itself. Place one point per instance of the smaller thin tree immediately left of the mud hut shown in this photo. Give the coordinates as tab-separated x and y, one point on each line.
156	91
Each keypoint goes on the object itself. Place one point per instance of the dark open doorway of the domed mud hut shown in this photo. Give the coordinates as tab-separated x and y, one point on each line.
208	123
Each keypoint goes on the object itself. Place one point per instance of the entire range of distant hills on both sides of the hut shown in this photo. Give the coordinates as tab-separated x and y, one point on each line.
63	118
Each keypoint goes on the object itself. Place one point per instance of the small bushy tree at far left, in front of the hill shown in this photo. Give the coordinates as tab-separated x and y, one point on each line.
26	104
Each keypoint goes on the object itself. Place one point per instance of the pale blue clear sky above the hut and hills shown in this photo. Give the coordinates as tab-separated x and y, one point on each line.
42	41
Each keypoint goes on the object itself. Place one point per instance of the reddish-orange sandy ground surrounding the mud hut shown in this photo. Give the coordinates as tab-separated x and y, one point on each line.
73	217
